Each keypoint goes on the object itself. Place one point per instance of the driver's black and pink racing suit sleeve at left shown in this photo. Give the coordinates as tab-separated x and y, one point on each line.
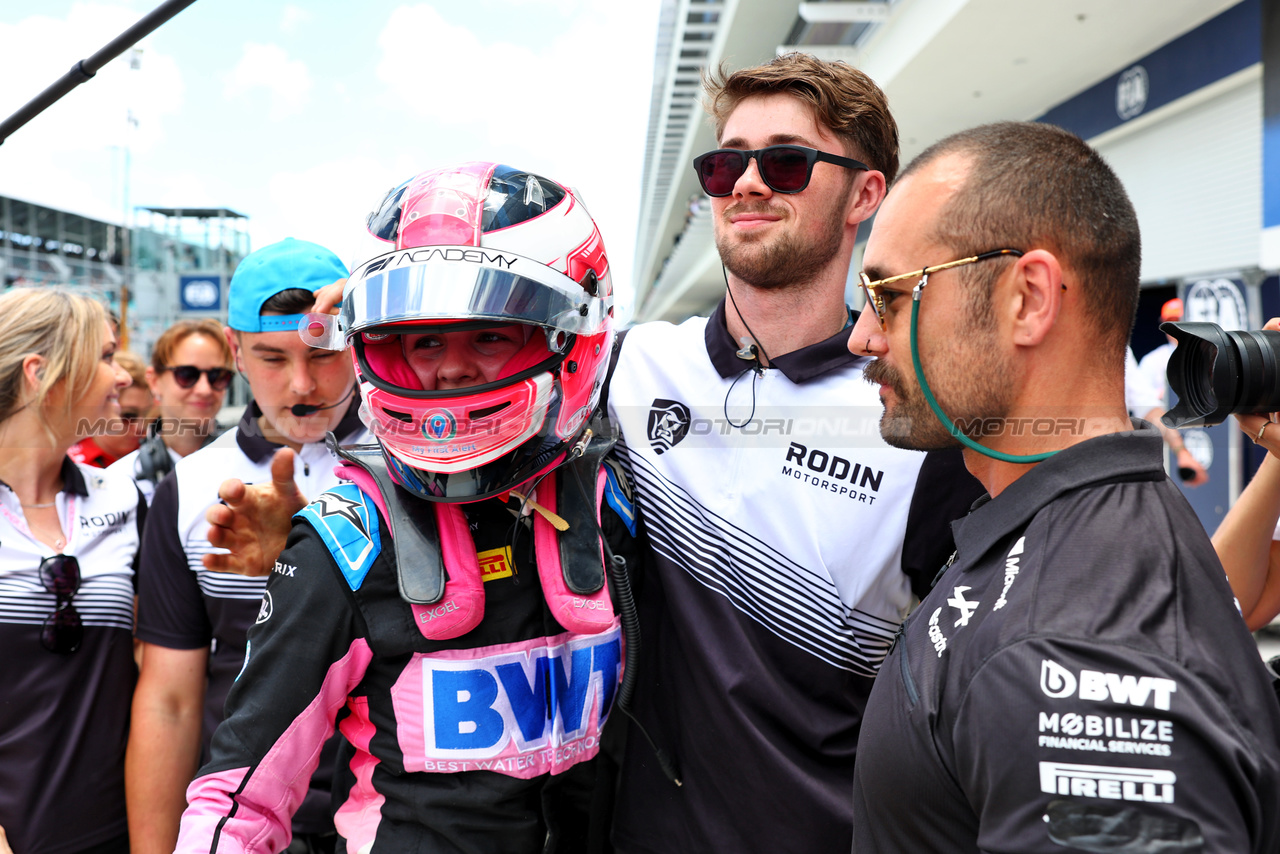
305	656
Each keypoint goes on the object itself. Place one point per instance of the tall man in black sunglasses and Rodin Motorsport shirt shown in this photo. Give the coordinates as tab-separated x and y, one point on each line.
776	577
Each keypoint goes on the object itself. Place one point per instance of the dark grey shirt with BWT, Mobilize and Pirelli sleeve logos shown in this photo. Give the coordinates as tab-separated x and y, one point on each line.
1078	681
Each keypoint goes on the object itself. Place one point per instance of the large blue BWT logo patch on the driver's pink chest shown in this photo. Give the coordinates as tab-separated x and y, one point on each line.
531	709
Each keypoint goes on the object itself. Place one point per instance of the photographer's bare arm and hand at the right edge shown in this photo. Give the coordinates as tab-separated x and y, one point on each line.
1245	541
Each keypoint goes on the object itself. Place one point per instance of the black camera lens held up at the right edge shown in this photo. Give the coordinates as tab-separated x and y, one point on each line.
1217	373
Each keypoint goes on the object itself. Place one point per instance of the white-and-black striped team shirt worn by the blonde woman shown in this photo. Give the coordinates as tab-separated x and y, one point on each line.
65	719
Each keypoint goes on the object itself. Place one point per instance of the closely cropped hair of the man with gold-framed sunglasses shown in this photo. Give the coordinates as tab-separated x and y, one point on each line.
1037	186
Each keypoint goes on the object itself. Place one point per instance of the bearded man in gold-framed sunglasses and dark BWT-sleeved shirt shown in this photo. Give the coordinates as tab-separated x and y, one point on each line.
1080	678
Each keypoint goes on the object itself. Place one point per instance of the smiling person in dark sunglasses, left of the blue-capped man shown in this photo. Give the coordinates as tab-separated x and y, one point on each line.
190	373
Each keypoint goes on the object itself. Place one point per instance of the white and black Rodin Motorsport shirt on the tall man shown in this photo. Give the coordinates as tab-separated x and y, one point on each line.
785	540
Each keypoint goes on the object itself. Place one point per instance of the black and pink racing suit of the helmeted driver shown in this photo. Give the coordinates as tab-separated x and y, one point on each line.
481	743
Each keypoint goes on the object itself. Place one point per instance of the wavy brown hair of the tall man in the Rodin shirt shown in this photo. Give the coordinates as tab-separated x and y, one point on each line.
844	101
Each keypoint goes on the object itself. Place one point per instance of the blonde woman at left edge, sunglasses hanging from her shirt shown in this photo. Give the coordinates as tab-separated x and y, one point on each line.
68	540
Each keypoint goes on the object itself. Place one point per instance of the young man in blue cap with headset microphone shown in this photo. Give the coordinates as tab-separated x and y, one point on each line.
193	623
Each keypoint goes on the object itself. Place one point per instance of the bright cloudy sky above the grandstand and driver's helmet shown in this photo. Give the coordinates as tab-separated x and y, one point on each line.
301	115
